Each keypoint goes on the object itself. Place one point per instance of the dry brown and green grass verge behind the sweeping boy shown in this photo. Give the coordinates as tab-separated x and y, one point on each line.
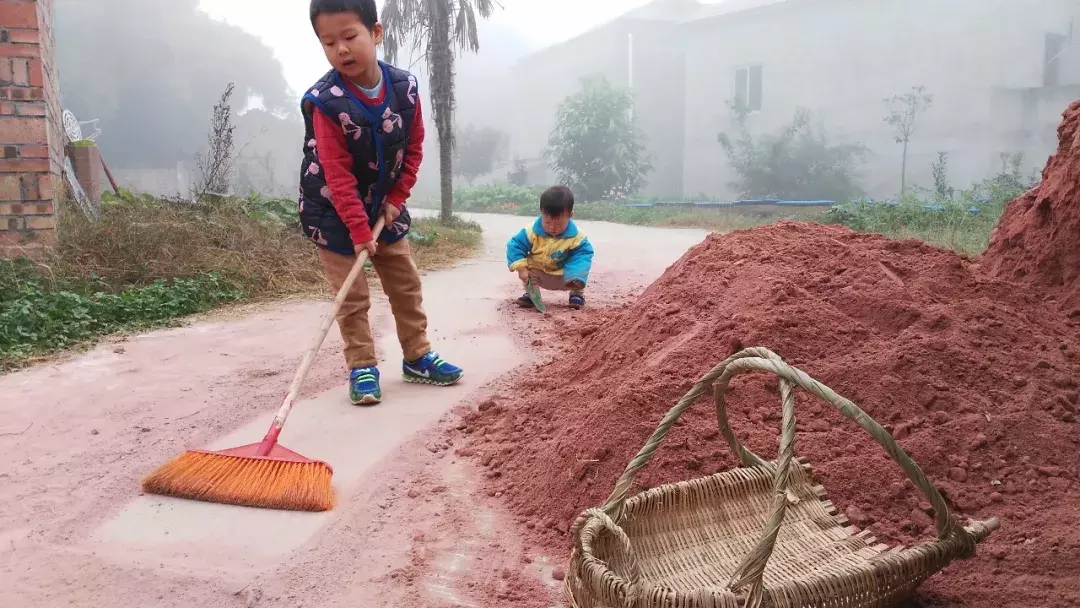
151	262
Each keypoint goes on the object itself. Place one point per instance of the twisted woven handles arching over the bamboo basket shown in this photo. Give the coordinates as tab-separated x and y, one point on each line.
751	572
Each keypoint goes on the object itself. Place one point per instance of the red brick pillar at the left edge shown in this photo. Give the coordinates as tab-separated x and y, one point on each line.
32	129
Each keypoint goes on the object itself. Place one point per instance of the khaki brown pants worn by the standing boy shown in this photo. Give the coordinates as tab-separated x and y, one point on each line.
401	282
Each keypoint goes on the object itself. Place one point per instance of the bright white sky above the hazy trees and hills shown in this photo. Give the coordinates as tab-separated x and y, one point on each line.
286	28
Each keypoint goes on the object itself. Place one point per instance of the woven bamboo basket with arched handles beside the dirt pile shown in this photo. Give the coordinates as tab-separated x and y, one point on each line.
759	536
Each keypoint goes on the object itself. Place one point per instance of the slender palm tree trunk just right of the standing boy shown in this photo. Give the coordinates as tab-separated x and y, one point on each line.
441	62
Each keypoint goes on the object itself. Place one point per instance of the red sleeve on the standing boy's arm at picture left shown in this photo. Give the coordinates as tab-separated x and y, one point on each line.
337	170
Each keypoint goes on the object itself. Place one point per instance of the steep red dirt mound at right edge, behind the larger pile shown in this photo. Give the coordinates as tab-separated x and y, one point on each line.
1037	241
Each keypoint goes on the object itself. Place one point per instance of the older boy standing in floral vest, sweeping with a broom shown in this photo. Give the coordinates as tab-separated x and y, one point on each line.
362	148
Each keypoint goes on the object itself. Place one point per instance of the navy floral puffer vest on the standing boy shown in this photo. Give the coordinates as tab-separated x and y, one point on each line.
376	137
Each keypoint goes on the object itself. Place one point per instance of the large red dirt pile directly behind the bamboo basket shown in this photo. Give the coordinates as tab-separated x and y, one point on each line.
976	379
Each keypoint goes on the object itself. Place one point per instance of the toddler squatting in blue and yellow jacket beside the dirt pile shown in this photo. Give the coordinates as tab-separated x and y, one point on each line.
553	253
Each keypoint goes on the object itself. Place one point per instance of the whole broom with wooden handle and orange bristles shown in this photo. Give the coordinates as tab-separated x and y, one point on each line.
263	475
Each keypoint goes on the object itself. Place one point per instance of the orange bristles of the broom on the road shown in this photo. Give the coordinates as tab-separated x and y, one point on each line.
248	482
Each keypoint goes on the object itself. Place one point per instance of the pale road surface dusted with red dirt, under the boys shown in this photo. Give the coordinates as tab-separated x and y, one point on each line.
410	531
